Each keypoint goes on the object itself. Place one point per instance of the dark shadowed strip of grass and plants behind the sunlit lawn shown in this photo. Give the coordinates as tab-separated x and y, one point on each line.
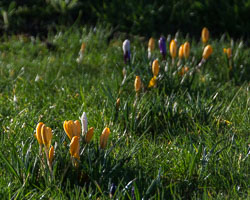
137	17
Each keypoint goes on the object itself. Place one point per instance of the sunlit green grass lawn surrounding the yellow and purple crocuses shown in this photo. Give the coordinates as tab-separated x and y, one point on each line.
170	142
